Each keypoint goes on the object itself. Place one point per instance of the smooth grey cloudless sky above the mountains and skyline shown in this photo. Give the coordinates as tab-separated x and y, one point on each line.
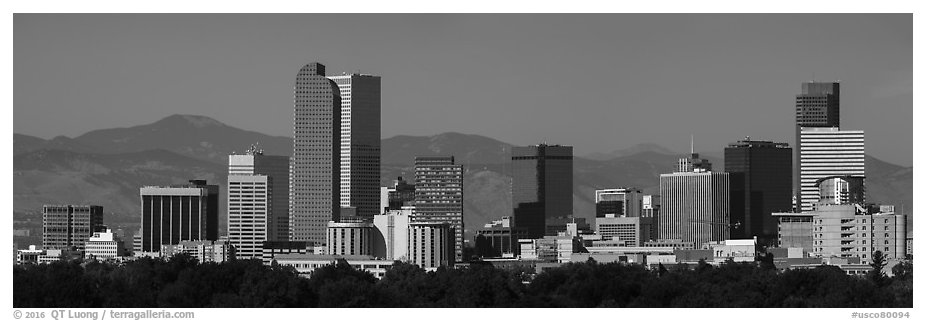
599	82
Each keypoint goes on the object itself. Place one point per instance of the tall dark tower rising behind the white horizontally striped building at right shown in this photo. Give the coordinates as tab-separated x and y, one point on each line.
816	106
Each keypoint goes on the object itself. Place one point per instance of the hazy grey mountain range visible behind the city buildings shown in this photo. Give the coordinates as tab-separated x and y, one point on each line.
107	167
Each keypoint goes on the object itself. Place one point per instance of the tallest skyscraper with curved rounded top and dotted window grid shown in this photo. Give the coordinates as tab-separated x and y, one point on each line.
314	175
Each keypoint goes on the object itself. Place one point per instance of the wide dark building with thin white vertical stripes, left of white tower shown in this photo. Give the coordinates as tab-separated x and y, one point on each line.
170	214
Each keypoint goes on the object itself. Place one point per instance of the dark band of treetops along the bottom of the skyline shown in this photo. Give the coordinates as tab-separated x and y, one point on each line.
182	282
